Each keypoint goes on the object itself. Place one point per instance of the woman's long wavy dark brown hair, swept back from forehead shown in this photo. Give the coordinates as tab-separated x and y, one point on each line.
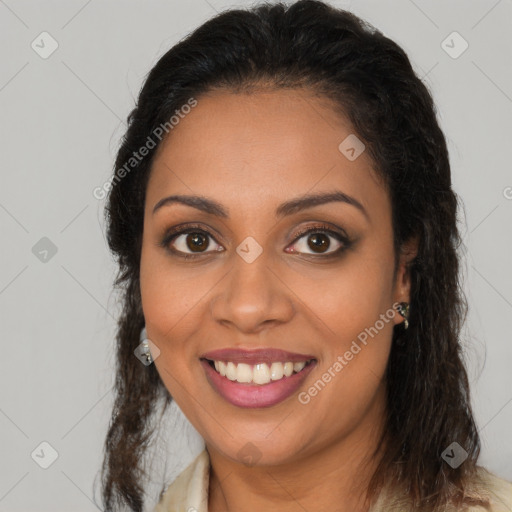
370	79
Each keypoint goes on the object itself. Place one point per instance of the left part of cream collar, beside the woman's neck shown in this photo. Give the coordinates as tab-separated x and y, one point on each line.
189	491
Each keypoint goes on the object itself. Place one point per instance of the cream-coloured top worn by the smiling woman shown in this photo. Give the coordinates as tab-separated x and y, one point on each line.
189	492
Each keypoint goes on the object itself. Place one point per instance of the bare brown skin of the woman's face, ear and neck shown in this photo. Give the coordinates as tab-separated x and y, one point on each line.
252	152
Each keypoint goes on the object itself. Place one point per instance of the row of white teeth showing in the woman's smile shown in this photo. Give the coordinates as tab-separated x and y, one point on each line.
259	373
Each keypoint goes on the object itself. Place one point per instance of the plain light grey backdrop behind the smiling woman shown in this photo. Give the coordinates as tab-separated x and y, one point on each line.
61	120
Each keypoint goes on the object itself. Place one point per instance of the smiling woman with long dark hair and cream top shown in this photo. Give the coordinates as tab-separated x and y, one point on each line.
285	227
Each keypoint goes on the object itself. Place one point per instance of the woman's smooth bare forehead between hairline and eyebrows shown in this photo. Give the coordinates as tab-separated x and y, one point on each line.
269	145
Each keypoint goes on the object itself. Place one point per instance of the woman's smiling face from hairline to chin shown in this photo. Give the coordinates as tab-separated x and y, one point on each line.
254	285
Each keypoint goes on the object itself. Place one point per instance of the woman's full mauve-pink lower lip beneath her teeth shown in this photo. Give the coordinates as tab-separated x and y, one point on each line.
255	395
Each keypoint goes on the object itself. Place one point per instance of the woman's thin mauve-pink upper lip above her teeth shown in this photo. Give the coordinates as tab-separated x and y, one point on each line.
254	356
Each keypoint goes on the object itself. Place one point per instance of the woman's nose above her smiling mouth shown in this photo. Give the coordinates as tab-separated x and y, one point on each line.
252	297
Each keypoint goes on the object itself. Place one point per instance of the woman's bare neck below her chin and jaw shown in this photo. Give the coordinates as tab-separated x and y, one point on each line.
337	473
